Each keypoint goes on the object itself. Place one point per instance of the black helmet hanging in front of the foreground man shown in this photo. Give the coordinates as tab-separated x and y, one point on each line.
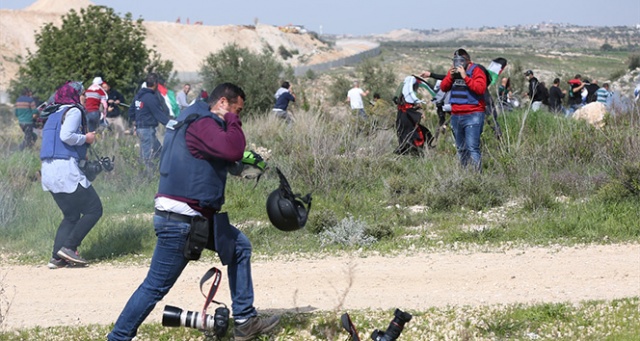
286	210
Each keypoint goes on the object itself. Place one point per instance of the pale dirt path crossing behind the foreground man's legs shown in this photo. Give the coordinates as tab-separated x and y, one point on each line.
97	294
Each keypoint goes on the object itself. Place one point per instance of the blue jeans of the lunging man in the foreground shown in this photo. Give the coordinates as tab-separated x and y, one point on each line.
166	266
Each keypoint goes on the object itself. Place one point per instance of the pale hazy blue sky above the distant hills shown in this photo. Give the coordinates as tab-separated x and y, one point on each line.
377	16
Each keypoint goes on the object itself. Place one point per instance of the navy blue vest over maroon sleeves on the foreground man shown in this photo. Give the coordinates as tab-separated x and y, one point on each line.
182	174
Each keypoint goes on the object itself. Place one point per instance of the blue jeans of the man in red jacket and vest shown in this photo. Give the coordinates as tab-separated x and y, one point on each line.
467	130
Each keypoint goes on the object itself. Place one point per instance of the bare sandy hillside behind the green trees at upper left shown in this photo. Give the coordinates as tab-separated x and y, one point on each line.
185	45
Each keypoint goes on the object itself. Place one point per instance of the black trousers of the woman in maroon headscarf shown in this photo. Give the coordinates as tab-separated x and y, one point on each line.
81	211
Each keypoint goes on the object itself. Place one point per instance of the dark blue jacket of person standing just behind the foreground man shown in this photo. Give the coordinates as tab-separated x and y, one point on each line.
147	110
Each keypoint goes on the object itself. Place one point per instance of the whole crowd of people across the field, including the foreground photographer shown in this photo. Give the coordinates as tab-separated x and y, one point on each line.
204	137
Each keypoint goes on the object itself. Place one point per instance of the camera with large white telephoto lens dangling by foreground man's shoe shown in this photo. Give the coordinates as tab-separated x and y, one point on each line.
218	323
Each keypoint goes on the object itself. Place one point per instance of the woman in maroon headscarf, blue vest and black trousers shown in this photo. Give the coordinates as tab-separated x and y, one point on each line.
65	141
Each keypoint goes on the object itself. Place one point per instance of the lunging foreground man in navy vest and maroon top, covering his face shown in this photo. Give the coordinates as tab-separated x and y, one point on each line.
199	147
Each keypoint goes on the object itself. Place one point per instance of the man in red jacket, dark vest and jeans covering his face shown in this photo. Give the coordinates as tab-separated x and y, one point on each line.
467	83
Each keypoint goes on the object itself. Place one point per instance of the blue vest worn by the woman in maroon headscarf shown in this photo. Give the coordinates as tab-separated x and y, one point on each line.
52	145
